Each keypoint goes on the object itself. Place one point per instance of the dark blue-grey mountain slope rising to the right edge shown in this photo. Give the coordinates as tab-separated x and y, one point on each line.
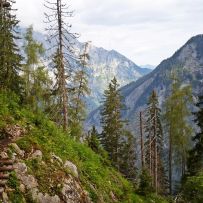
187	62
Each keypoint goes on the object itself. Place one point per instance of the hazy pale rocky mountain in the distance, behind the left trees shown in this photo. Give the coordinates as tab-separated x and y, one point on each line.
102	67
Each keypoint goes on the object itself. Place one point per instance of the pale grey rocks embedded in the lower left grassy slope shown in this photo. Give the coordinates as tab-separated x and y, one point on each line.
70	191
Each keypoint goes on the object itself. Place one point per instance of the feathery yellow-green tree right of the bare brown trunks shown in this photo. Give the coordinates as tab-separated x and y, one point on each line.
178	128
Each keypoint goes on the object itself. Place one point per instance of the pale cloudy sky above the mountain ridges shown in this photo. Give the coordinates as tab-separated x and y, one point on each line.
145	31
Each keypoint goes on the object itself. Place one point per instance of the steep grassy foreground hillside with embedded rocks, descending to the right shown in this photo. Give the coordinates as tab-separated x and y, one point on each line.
51	167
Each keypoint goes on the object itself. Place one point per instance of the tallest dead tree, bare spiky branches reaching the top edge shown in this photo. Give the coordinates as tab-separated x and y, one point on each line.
62	41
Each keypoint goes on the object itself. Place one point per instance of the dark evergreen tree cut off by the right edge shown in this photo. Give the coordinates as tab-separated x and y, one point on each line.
195	160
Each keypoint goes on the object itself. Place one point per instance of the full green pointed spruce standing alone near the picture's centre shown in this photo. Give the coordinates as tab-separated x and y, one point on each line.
111	121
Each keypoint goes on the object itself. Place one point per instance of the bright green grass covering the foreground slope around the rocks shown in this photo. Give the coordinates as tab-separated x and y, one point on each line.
96	174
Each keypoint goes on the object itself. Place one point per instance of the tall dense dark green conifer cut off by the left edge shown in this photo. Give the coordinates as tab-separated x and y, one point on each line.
10	59
